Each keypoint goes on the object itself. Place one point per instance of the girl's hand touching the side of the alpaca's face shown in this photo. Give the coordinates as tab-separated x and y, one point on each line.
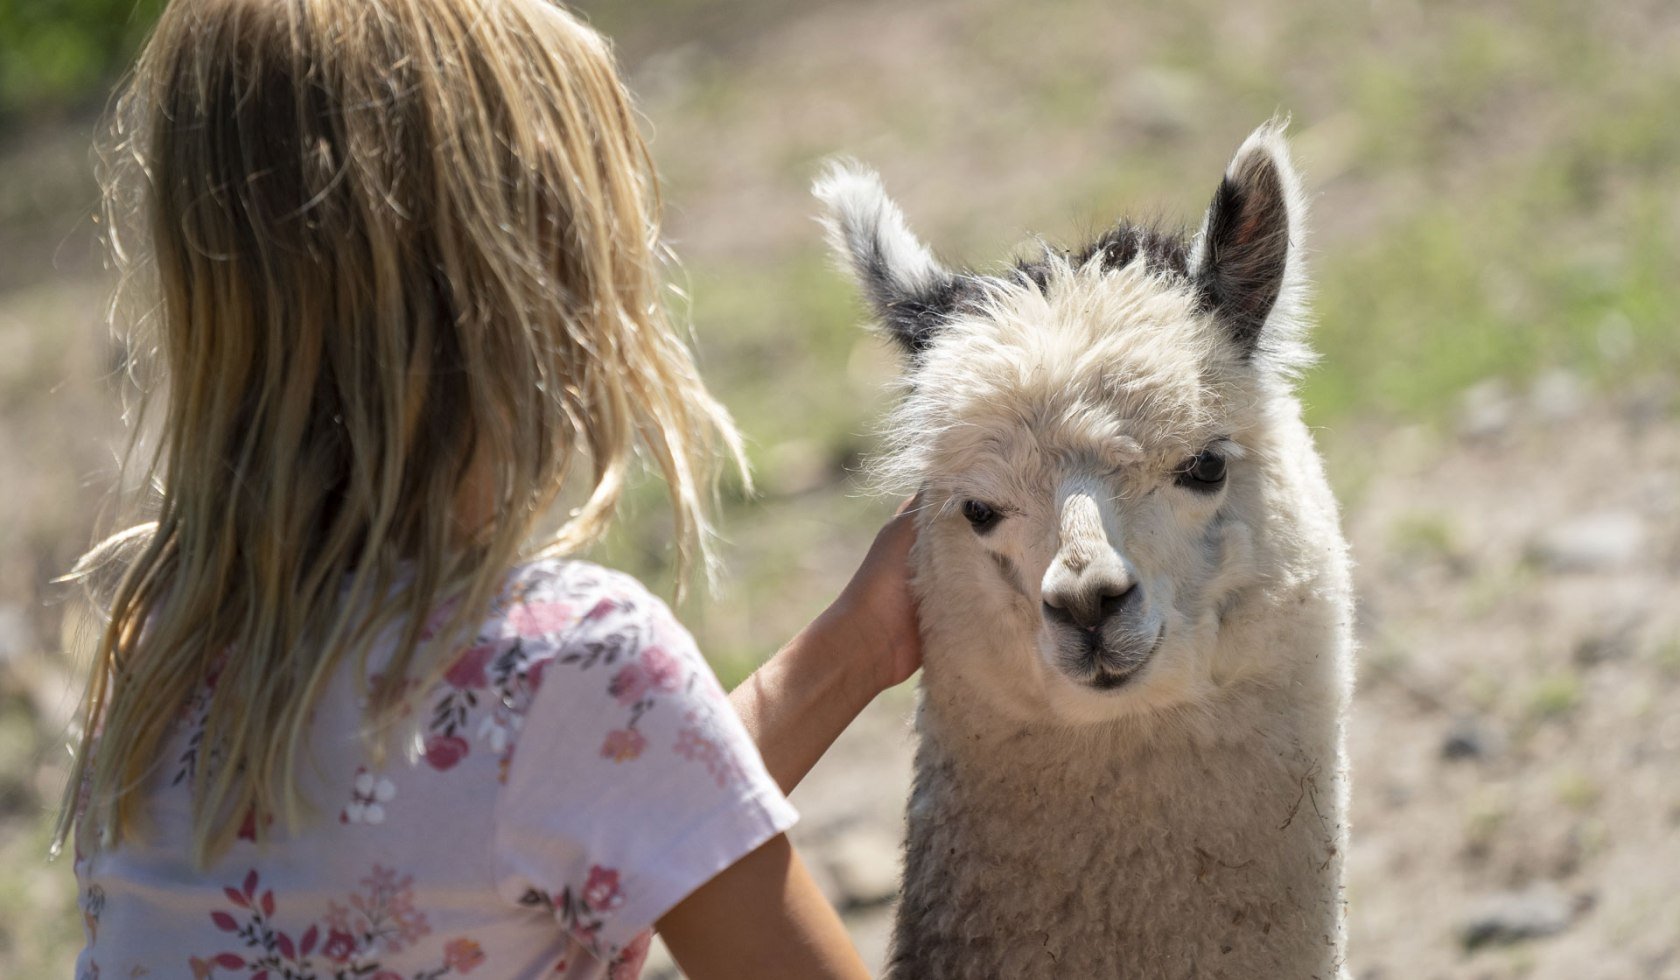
874	619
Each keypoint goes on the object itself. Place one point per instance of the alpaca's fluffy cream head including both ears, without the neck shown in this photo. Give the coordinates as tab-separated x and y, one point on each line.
1089	440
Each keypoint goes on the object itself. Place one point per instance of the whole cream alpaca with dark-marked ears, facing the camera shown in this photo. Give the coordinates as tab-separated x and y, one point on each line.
1135	598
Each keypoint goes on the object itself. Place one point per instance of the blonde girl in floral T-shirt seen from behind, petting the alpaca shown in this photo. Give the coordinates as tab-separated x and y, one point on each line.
342	720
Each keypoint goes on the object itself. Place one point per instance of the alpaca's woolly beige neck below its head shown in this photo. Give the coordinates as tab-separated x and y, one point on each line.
1133	851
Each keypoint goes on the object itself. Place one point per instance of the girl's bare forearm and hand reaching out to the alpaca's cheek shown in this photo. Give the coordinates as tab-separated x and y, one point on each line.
863	645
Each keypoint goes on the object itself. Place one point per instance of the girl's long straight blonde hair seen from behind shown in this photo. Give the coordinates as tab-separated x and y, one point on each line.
406	256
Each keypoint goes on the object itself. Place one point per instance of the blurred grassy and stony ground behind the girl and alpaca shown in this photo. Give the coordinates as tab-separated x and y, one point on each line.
1494	238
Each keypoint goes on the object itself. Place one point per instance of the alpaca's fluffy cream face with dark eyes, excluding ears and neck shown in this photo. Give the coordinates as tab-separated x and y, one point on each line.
1086	477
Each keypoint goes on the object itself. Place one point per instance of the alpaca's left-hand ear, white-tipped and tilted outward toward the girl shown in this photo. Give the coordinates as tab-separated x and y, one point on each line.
908	288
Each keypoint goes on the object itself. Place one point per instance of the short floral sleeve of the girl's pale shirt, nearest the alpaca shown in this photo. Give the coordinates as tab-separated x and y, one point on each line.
633	782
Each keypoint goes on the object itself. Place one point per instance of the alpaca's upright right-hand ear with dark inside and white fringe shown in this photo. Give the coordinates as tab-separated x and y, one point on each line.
1247	258
